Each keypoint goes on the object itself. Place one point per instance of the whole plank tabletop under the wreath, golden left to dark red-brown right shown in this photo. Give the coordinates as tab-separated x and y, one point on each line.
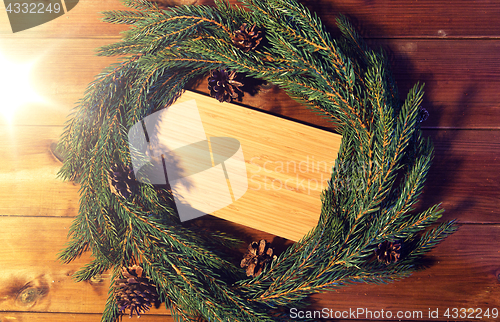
452	46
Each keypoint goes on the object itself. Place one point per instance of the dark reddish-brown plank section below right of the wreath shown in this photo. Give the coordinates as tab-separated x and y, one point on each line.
462	272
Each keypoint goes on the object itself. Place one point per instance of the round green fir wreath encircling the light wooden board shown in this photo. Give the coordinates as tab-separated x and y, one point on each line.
341	78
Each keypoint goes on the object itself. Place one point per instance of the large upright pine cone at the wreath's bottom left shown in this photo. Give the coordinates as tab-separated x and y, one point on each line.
135	292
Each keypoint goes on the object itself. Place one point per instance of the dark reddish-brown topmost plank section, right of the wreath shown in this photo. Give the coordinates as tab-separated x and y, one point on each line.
414	19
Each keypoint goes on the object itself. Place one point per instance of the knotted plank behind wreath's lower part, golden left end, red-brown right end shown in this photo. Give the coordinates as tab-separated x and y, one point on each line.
468	255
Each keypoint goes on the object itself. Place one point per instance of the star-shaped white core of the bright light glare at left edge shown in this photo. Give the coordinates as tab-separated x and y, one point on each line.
15	87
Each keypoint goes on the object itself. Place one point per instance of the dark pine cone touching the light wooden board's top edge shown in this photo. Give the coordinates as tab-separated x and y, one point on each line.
222	85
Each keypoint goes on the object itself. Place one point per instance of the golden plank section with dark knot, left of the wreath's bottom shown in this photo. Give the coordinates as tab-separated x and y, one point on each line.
33	280
